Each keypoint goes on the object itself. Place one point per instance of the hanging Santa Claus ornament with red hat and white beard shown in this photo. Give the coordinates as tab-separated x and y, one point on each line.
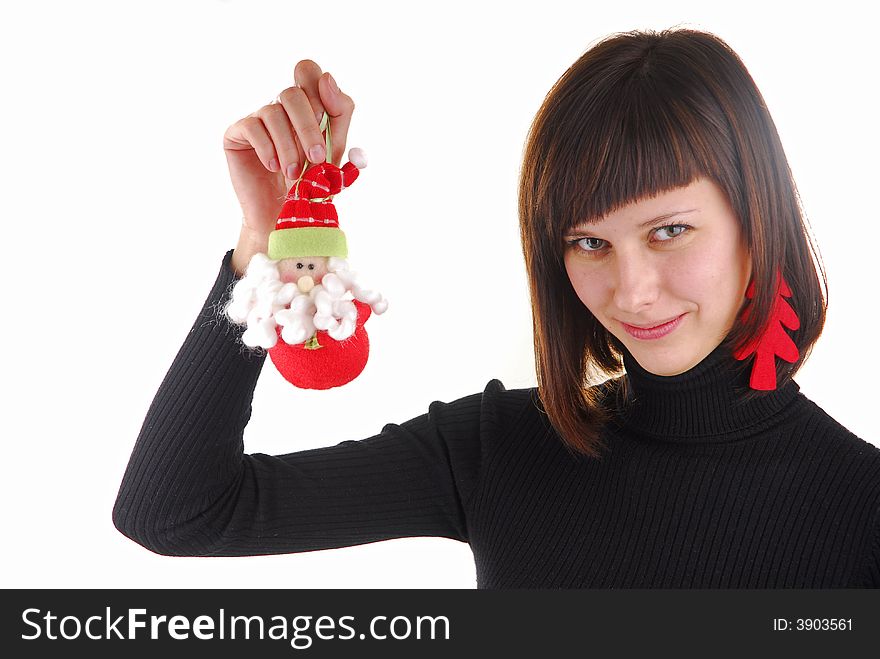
300	301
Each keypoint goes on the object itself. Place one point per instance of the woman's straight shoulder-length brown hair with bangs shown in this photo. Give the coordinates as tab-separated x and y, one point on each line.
638	114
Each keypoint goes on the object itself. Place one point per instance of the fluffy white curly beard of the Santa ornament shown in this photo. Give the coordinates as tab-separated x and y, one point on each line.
263	302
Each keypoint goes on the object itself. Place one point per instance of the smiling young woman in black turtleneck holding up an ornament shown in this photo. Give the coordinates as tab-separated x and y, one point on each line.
674	297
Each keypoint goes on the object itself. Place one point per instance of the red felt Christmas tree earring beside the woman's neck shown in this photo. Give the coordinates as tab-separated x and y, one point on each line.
773	341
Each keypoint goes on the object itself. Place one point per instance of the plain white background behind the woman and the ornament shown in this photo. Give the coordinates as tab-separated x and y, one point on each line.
117	210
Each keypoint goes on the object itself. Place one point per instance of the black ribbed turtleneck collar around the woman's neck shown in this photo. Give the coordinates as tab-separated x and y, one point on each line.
707	403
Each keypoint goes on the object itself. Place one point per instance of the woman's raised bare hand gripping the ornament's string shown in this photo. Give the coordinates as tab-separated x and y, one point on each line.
266	150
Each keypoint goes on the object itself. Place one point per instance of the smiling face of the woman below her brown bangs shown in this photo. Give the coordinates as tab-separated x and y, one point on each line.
677	257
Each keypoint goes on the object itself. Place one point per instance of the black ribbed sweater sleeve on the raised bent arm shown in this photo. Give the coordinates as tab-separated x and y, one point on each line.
190	490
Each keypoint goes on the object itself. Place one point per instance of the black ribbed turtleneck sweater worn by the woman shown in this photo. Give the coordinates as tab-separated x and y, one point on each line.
694	489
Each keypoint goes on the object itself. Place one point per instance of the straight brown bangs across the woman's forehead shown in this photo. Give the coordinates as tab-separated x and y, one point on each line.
643	139
